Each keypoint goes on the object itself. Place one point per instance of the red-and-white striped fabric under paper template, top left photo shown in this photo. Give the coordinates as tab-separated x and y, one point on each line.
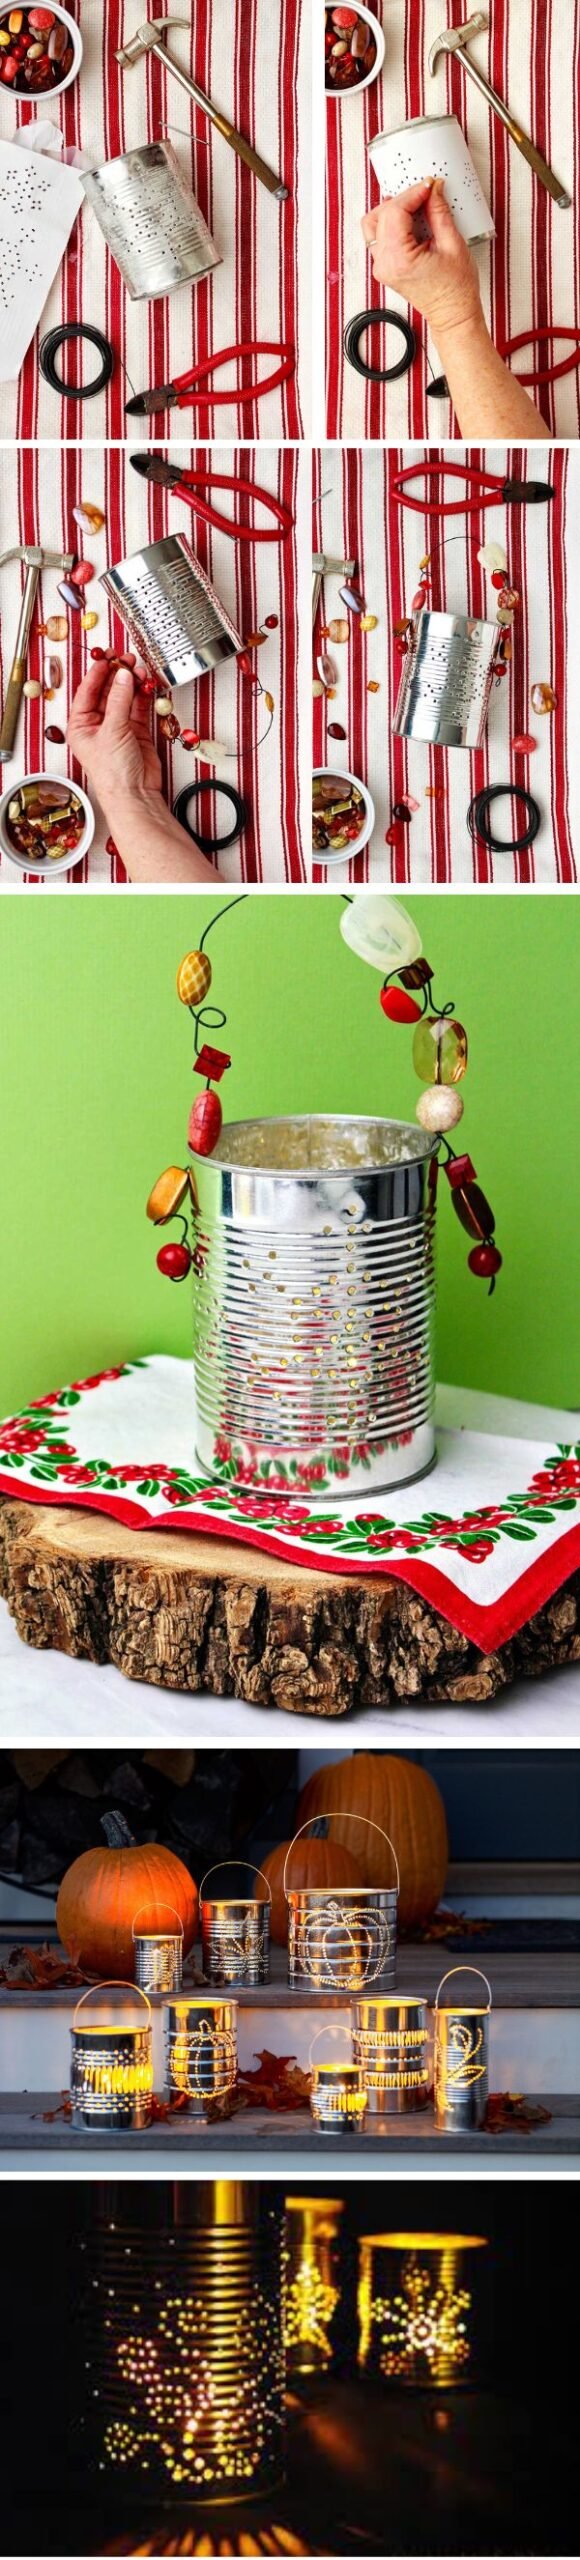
254	63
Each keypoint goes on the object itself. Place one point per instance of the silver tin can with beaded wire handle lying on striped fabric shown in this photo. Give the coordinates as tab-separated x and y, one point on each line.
446	685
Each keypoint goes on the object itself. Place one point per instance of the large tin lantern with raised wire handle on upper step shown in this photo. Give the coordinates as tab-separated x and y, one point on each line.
341	1937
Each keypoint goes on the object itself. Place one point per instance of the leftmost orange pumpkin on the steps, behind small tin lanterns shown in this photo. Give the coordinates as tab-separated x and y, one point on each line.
103	1893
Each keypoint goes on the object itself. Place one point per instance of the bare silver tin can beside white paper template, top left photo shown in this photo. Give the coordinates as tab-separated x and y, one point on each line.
152	221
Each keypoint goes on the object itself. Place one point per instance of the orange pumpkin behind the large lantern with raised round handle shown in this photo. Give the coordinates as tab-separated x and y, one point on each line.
408	1806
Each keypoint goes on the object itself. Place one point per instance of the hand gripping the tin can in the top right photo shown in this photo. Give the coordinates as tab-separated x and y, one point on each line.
438	273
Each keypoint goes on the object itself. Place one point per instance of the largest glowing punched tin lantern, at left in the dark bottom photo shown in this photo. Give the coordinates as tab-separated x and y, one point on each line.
183	2341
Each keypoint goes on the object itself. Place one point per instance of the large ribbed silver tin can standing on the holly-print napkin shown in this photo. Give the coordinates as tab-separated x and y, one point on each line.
313	1304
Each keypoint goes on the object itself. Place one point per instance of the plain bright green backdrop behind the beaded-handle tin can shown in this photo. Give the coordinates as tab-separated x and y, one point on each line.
98	1084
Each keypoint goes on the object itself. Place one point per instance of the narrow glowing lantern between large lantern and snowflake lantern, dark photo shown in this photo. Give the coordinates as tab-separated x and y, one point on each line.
313	2282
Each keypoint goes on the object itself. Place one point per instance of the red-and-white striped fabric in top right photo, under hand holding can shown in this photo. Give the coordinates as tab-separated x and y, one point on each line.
530	275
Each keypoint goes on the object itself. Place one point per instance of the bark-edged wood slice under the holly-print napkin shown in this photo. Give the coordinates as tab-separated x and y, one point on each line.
206	1614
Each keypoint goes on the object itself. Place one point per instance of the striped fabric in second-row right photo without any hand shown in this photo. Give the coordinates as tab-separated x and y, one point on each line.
362	518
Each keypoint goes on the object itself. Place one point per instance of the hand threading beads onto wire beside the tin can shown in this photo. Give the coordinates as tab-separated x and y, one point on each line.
111	736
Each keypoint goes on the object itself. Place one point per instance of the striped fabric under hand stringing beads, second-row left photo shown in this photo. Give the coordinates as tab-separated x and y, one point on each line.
37	500
